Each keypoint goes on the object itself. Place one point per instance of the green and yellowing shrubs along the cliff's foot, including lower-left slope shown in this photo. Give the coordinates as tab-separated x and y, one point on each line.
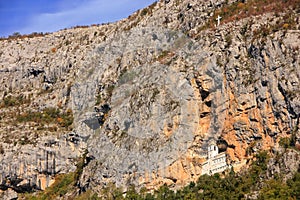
231	186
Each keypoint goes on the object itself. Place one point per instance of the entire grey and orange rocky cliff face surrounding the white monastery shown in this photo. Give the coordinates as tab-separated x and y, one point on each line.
147	93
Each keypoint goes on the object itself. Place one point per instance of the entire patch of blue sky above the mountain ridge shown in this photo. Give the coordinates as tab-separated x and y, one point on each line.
27	16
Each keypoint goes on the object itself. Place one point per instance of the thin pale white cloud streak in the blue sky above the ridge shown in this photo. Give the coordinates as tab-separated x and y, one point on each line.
83	13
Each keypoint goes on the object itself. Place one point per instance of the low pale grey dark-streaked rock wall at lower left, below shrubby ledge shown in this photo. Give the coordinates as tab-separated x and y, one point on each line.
27	167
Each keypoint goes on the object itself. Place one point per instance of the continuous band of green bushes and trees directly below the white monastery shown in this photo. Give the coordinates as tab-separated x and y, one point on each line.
232	186
